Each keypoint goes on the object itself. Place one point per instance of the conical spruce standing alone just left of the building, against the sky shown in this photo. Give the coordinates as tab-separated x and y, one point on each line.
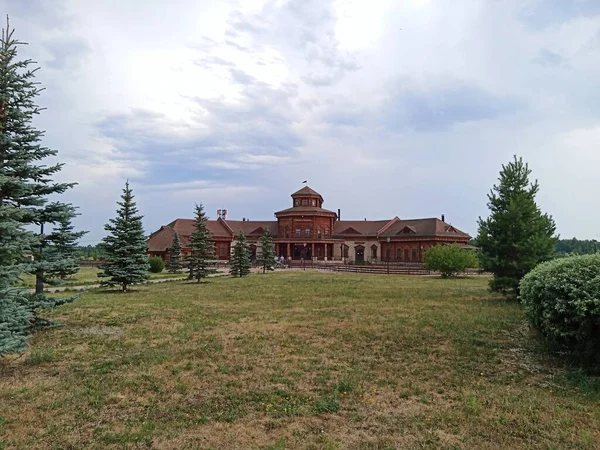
125	246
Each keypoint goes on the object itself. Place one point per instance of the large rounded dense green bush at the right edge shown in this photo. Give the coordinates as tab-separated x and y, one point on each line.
562	301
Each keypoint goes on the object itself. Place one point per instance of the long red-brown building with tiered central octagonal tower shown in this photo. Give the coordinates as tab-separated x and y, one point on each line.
308	231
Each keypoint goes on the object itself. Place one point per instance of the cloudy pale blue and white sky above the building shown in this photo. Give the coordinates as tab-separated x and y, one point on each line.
387	108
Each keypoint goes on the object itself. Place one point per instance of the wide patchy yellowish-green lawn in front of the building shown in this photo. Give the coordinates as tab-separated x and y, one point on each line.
295	360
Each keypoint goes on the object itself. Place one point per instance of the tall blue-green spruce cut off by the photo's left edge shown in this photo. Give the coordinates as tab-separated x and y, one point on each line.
25	184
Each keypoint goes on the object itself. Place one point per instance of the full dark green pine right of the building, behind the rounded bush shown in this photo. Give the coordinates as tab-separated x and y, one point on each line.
516	236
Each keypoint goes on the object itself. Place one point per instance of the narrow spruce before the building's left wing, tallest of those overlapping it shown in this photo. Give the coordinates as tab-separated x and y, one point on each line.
201	260
